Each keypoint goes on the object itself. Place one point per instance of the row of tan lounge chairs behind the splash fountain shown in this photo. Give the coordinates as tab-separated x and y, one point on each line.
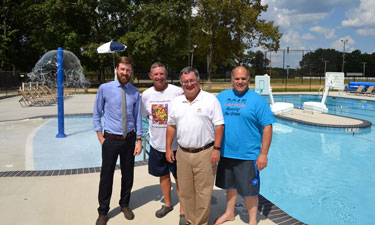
40	96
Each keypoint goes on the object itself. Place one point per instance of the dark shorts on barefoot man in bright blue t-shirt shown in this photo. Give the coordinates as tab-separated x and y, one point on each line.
238	174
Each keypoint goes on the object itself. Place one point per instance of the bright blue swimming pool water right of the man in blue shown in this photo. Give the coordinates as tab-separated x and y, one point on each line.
320	177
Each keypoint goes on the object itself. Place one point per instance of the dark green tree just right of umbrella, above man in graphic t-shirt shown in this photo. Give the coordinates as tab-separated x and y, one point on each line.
158	33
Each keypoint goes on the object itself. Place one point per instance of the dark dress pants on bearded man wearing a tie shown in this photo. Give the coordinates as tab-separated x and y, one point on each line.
110	150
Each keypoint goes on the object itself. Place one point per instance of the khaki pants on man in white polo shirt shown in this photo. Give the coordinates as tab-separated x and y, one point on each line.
196	177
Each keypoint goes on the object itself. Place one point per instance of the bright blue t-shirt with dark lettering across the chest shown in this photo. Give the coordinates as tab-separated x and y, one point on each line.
245	116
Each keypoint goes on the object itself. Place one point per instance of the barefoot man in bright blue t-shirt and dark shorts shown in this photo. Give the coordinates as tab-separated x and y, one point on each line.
244	148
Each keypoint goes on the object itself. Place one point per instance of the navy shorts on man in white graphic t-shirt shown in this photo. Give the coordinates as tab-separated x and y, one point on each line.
158	165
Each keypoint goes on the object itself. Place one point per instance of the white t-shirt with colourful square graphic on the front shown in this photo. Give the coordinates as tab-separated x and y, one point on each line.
155	105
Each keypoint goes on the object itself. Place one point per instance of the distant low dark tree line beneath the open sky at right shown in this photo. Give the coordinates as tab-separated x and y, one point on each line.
316	63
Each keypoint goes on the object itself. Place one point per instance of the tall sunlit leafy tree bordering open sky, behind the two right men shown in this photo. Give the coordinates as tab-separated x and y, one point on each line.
226	28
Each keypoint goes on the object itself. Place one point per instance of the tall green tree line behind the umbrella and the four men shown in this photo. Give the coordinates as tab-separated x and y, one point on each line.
213	35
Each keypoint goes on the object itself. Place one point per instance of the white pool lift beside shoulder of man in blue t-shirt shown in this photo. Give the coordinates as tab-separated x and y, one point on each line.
263	87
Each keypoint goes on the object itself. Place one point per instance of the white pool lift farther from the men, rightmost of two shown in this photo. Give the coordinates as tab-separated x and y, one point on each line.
333	80
